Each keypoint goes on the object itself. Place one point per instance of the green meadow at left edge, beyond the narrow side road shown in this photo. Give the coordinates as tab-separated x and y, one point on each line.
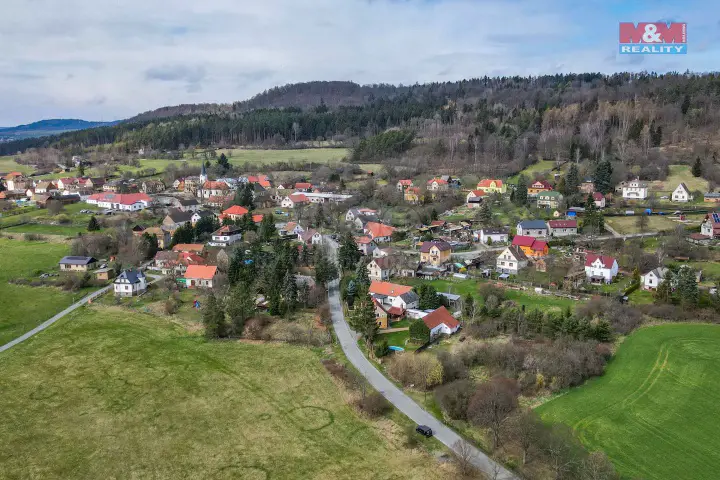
23	307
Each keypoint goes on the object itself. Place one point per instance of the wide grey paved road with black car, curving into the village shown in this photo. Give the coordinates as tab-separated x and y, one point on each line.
395	395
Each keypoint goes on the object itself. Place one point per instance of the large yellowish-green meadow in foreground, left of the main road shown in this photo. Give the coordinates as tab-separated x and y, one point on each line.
104	394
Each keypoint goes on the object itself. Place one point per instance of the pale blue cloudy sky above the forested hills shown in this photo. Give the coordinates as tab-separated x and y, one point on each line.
111	59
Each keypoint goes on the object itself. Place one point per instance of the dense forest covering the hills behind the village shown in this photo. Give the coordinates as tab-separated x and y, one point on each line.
490	125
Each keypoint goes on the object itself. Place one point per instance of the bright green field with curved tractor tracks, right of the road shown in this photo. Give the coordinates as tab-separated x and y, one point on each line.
652	411
